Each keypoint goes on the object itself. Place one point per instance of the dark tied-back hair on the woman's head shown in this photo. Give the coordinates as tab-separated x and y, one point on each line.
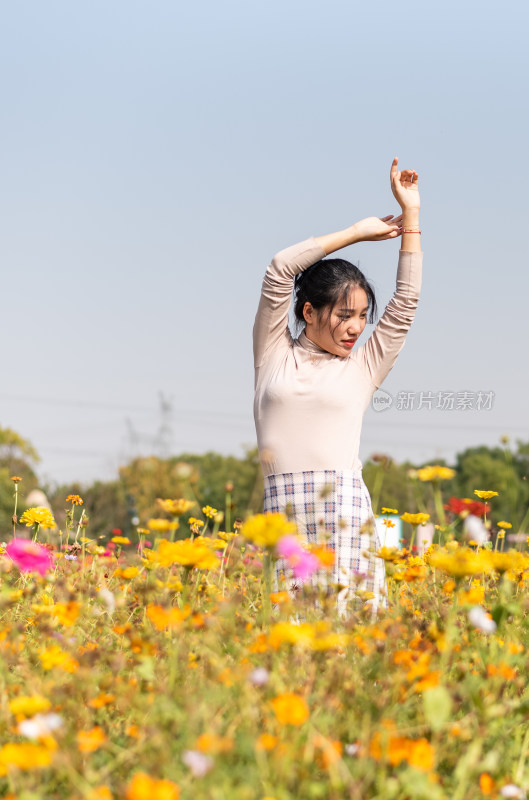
327	283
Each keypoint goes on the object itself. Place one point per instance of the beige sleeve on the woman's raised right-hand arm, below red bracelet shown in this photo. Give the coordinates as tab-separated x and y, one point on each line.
380	352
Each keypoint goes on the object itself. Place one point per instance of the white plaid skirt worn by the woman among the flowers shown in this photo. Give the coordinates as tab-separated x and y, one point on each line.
332	506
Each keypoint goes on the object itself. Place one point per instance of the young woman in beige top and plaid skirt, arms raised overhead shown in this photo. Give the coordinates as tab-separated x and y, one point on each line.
311	392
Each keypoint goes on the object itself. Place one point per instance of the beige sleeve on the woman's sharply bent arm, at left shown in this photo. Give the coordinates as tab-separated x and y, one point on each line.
271	322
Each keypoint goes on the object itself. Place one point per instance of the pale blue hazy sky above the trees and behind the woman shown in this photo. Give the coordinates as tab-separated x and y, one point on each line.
155	157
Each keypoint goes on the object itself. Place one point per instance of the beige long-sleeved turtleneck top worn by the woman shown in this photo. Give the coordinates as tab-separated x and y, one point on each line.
309	403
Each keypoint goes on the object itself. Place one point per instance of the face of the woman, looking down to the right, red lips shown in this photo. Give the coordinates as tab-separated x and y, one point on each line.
338	332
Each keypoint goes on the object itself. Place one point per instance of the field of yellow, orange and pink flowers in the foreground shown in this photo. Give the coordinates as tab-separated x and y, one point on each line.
171	666
